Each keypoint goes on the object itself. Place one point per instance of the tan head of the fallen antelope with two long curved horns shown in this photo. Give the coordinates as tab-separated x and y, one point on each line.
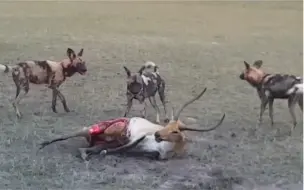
173	131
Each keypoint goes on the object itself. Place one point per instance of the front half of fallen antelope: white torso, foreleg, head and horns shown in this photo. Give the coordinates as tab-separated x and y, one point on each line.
157	141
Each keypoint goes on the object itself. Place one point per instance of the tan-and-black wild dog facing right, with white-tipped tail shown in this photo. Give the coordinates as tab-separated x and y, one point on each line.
45	72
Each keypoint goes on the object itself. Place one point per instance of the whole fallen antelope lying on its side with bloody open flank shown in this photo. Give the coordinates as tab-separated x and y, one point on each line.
137	136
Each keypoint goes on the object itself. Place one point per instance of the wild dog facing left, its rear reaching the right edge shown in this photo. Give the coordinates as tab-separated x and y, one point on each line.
274	86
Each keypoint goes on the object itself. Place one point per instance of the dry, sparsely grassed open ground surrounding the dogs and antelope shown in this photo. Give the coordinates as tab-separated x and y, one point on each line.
196	45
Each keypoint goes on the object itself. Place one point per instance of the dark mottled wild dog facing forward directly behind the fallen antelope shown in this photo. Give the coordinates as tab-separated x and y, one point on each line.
142	85
